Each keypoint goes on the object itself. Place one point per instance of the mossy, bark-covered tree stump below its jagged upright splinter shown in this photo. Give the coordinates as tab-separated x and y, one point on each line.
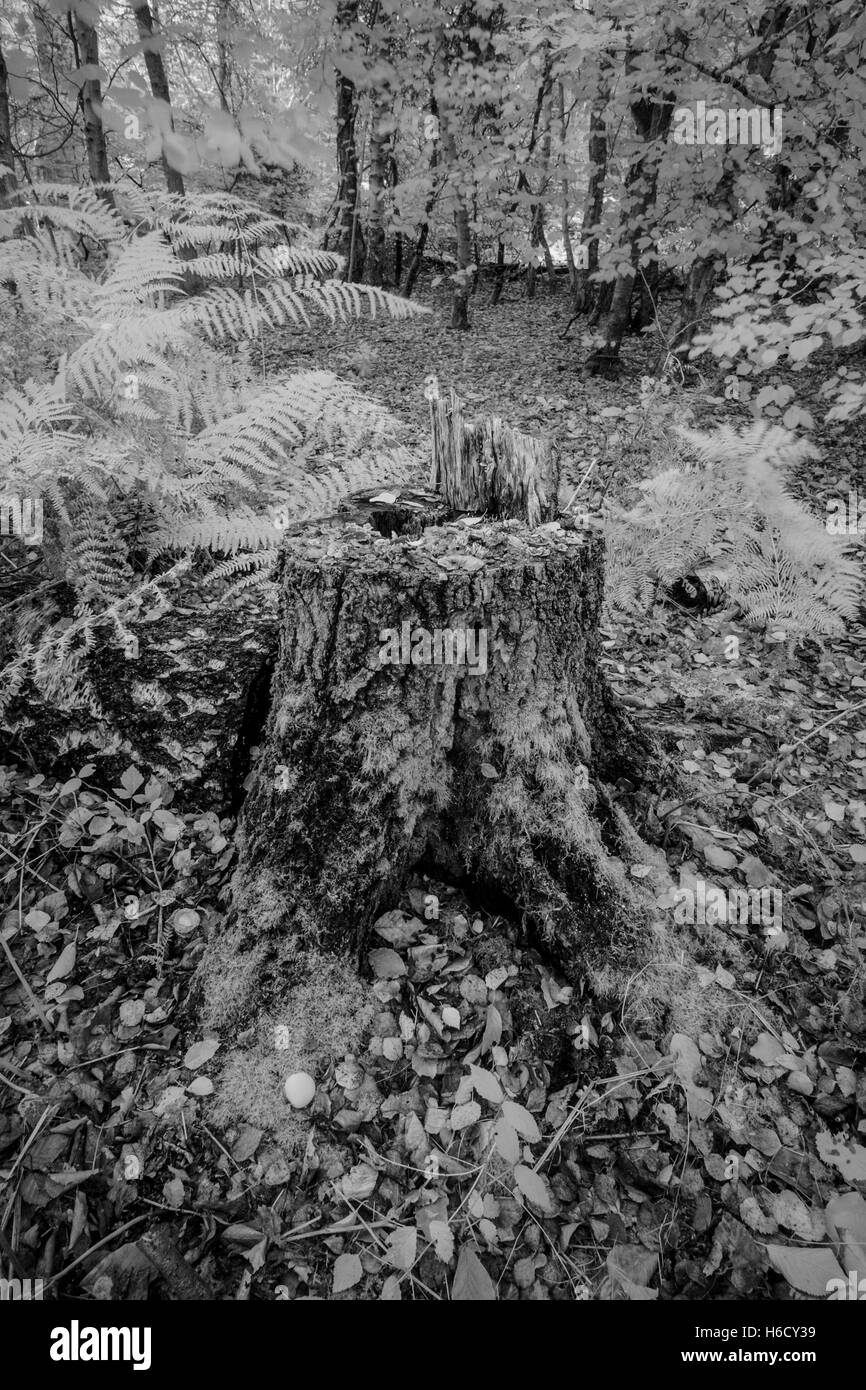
382	755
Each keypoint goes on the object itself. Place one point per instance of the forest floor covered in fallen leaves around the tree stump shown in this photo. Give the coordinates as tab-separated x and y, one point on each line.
724	1161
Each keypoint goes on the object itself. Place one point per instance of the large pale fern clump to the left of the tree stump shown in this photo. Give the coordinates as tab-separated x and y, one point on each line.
155	436
